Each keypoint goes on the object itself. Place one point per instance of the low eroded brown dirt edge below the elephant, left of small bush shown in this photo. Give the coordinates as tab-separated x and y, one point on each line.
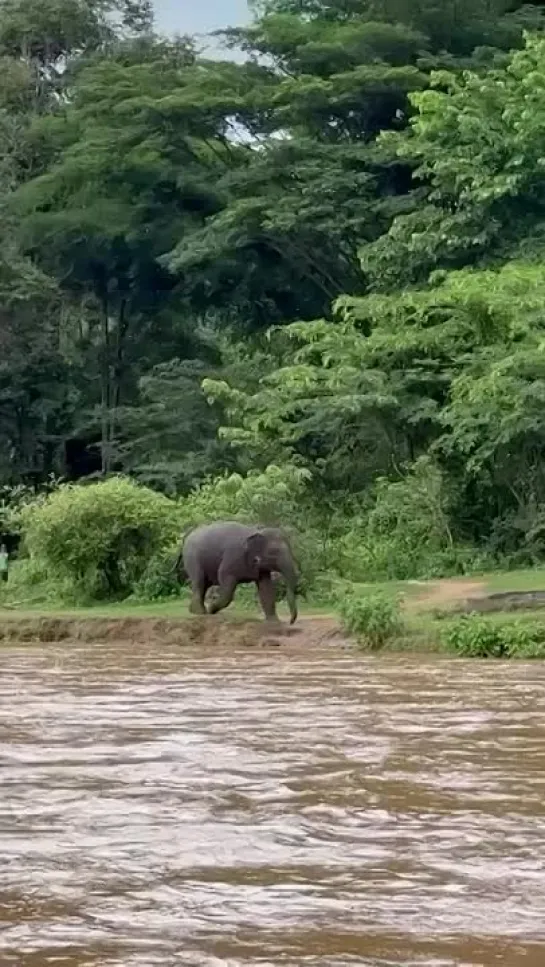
206	632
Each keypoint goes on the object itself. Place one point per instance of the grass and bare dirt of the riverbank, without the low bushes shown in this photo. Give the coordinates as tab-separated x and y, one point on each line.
425	605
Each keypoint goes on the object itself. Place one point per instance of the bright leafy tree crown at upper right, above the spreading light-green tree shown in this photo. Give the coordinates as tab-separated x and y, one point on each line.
476	145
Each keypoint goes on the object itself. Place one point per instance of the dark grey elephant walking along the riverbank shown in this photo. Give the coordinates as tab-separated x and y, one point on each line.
228	553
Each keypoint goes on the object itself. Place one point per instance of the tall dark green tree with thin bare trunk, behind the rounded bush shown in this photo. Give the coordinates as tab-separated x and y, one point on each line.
102	216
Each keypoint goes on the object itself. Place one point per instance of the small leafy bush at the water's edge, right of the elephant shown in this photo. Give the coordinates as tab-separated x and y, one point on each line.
374	619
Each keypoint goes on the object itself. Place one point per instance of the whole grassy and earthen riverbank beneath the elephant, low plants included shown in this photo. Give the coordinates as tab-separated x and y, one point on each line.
423	622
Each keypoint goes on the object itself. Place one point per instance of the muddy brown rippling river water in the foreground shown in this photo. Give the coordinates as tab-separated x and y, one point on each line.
160	806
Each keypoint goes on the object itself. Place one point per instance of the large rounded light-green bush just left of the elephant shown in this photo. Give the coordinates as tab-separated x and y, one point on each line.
97	539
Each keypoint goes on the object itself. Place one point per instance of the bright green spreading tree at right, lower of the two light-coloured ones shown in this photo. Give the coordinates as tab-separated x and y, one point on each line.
447	371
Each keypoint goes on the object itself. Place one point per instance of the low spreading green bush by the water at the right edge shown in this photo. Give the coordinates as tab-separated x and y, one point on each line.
475	636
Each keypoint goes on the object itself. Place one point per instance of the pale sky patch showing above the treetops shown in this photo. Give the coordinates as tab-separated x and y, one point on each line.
199	16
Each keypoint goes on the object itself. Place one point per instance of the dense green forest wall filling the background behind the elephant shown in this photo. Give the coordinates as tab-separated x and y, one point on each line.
330	250
